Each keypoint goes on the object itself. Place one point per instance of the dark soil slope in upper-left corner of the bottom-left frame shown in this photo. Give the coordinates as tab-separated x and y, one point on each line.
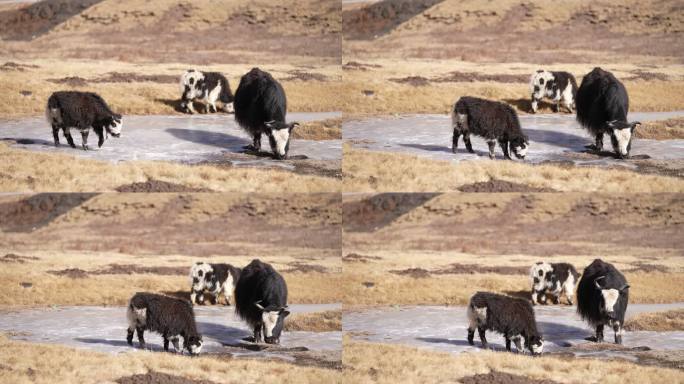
39	210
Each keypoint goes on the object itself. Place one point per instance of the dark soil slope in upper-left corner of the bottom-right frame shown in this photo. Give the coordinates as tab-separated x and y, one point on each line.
375	212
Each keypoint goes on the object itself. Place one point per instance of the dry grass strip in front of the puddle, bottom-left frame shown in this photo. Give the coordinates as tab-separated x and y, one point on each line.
35	363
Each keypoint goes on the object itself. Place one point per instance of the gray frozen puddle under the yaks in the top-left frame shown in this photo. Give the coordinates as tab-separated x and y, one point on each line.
186	138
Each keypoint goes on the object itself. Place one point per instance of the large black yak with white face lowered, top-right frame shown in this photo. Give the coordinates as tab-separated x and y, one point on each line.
602	106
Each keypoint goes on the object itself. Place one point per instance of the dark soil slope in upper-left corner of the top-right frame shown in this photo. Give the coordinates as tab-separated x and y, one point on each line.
380	18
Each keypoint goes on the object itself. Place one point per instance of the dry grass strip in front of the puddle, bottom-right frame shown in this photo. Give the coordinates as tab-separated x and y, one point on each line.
383	363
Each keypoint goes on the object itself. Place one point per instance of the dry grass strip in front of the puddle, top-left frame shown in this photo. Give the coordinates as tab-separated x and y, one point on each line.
27	171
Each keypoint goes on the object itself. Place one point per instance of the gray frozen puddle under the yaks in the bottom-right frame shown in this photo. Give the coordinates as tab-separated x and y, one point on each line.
445	328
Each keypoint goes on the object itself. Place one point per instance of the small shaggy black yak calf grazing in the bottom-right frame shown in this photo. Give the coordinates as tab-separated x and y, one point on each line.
513	317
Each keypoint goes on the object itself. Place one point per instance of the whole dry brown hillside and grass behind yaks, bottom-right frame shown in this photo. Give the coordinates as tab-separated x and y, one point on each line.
441	248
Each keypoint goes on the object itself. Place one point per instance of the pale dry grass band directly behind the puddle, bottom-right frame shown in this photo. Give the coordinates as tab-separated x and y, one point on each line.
456	289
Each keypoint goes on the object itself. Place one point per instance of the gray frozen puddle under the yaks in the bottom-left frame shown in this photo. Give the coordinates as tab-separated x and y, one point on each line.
104	329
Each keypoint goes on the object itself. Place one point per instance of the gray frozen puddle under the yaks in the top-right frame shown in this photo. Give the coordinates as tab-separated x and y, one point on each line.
552	138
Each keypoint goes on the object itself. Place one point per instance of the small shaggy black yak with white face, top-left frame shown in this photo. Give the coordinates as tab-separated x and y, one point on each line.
83	111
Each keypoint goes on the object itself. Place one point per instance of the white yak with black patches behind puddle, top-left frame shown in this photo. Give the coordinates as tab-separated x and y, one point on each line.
207	88
